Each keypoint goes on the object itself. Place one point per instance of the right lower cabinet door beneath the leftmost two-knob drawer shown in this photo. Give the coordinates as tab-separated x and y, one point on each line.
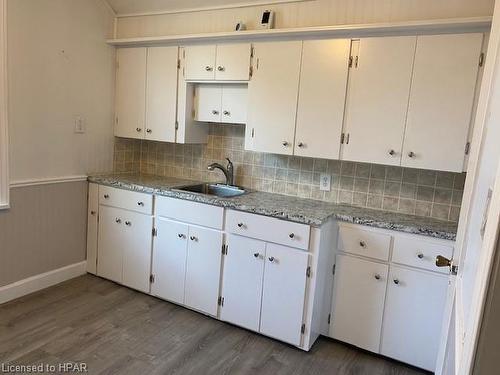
137	237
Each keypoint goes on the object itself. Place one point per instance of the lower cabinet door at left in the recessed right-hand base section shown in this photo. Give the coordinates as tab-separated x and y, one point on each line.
358	302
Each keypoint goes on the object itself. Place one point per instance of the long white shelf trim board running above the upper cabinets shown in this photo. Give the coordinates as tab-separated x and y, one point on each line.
449	25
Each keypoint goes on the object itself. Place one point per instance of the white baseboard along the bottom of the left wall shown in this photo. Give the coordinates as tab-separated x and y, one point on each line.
42	281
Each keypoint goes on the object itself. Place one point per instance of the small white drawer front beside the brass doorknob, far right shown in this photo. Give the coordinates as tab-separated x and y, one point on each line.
416	251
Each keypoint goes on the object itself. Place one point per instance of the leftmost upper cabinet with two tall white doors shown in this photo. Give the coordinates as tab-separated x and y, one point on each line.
146	93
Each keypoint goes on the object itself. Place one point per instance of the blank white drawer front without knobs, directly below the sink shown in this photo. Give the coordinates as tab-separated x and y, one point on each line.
190	212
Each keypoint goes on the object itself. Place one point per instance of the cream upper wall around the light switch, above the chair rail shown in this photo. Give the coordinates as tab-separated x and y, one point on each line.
59	67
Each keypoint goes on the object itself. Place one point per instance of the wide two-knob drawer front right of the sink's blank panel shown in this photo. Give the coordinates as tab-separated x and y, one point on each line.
268	229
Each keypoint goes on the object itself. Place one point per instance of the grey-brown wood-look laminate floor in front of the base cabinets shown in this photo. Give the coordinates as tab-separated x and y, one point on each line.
116	330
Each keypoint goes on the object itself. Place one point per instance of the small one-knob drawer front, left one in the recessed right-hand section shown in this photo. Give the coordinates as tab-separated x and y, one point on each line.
359	241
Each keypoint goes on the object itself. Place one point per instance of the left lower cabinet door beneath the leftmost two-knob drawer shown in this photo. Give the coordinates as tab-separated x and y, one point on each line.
110	243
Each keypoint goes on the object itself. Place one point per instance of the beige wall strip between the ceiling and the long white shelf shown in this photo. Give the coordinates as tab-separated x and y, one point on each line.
310	13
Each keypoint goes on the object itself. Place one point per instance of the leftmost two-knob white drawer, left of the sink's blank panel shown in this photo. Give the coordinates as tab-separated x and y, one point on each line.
128	200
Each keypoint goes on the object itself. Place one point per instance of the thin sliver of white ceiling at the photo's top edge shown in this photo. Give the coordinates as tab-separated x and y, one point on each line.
125	7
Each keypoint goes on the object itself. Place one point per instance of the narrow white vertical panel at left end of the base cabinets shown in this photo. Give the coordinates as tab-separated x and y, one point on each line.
92	227
